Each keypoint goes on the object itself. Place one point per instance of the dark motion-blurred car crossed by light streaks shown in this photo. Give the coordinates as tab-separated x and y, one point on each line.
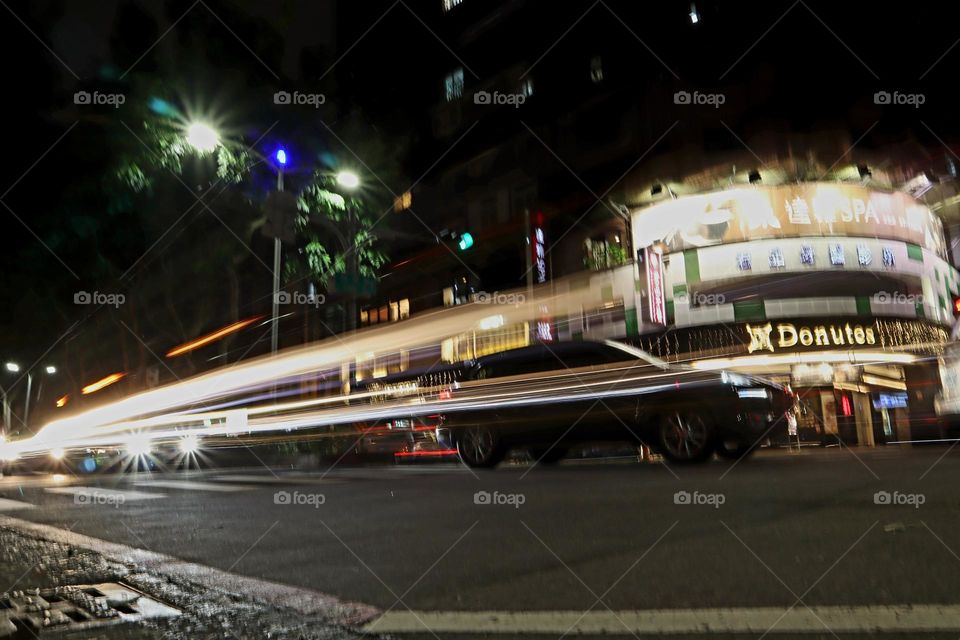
593	391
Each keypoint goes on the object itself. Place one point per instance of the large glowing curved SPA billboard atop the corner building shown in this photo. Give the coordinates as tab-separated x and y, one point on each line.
788	211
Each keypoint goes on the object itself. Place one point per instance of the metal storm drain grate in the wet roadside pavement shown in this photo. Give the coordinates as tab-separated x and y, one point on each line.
77	605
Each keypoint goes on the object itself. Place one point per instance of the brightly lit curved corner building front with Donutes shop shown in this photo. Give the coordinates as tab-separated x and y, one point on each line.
841	290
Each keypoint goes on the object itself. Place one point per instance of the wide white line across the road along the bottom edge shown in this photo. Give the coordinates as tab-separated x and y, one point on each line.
902	618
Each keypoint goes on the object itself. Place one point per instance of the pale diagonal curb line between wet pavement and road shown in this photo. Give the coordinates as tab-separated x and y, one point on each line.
304	601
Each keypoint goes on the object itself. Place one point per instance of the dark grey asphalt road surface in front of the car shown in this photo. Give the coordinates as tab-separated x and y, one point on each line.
779	530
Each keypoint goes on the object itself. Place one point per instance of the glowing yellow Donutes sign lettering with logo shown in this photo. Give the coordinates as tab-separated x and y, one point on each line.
787	335
